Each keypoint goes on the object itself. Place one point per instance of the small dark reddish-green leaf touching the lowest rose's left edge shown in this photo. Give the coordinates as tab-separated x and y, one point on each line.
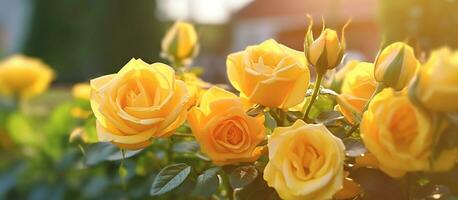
242	176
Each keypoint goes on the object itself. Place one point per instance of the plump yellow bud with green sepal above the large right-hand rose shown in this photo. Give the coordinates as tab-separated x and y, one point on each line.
396	65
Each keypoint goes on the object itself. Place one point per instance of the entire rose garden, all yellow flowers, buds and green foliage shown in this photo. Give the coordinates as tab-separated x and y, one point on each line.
291	125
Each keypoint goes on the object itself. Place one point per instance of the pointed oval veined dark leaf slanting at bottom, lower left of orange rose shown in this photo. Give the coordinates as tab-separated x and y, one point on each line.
169	178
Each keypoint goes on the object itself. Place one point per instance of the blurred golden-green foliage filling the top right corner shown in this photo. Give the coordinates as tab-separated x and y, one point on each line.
429	23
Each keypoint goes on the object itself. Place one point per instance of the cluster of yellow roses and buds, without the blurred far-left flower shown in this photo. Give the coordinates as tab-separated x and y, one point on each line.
397	107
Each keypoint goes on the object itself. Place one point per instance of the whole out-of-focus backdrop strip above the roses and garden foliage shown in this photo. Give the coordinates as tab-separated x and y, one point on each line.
82	39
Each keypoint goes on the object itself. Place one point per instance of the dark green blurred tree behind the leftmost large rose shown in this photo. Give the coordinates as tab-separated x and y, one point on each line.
82	39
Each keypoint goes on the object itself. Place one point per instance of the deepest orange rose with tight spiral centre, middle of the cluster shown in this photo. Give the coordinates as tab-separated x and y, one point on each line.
223	129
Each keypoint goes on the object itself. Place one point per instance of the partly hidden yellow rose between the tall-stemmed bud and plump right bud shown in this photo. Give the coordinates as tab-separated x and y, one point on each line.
357	88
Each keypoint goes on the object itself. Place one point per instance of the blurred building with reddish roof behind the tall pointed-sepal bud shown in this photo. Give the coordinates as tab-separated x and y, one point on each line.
286	21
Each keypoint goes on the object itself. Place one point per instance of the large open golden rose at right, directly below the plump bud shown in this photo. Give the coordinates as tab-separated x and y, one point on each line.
400	136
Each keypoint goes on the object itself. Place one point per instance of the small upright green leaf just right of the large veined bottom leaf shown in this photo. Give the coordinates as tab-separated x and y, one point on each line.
207	183
